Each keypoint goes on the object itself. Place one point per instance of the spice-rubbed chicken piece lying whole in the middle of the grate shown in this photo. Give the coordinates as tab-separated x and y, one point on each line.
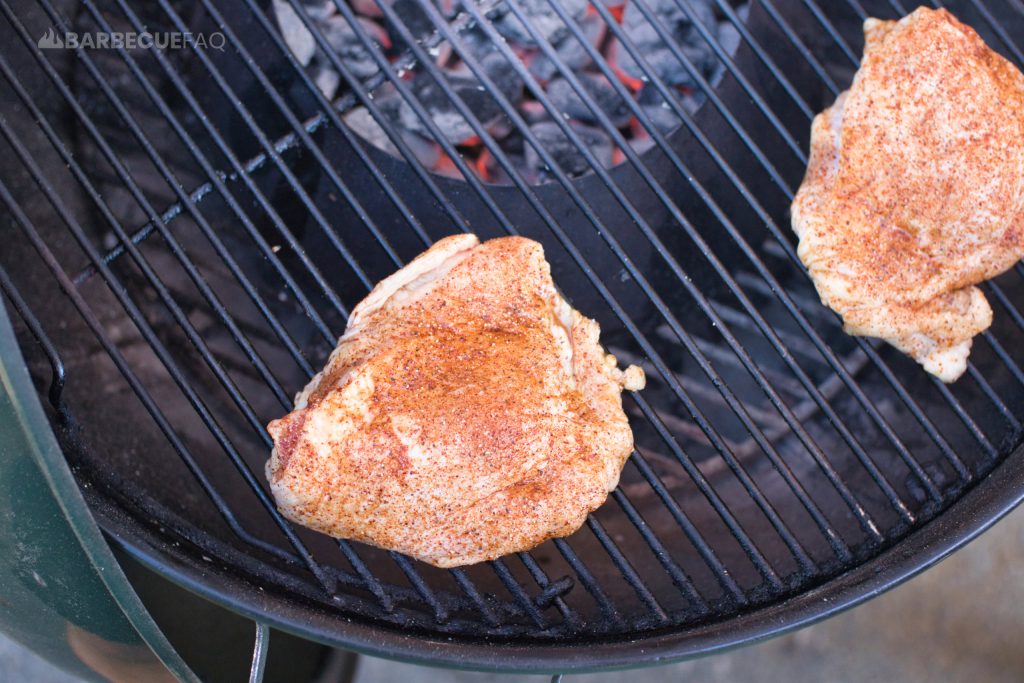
467	413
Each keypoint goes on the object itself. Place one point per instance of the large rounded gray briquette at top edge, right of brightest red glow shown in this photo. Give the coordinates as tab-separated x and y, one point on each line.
656	53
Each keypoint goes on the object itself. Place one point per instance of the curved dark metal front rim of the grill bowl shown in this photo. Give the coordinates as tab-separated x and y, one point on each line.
980	507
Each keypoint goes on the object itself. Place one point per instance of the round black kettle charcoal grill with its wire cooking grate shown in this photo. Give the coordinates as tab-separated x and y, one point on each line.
189	229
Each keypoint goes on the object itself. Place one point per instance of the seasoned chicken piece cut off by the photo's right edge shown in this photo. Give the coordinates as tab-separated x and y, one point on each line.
915	191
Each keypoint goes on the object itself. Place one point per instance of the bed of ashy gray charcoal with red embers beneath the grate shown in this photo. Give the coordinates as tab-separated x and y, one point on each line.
587	48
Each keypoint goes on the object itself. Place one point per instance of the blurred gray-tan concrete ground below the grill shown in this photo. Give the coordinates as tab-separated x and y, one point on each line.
962	621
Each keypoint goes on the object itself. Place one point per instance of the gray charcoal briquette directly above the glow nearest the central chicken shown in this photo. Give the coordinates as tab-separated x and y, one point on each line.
443	112
